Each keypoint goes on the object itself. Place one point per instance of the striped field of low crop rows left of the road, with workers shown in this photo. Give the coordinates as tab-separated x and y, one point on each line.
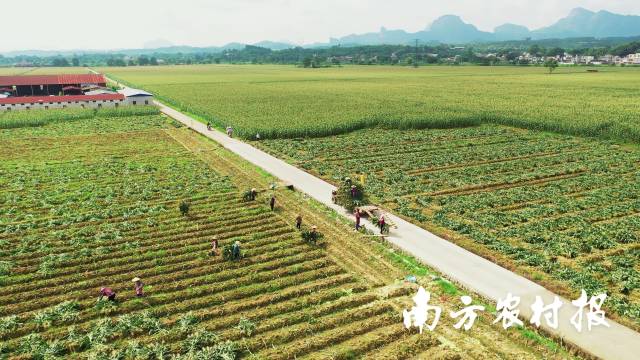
94	202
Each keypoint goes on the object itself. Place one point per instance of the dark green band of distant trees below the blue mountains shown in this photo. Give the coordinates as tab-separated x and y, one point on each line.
482	54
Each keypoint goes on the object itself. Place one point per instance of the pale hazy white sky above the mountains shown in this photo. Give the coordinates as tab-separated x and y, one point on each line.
87	24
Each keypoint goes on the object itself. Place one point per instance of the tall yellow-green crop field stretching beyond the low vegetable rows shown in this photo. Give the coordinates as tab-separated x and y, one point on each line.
284	101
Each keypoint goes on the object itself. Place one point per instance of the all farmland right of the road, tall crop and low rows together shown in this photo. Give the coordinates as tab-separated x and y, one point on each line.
549	193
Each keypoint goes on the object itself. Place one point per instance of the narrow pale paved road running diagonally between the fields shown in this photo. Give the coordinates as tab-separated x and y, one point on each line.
472	271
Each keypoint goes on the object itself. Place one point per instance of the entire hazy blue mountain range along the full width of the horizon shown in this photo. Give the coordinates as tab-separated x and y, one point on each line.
450	29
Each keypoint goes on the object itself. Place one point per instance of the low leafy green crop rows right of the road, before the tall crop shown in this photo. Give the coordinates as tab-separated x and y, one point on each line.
563	211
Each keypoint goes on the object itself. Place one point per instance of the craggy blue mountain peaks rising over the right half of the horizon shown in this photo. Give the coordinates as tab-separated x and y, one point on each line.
452	30
